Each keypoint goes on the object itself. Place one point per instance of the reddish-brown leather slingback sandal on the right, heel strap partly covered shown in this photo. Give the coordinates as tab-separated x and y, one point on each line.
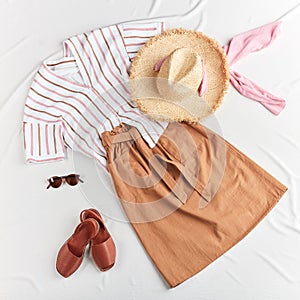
103	248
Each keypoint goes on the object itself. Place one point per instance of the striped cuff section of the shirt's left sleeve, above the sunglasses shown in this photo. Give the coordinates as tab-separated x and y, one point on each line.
43	142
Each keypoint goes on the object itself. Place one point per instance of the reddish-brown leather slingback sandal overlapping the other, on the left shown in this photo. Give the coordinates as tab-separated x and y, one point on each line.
71	253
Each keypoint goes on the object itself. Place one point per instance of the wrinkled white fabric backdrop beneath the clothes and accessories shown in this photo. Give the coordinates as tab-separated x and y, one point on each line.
35	222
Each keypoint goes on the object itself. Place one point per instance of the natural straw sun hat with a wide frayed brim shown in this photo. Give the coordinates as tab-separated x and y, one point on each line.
179	75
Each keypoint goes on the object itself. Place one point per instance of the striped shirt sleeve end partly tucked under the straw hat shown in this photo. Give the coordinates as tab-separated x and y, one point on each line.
137	34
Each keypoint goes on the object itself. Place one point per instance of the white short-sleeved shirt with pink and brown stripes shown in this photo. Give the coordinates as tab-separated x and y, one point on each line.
76	98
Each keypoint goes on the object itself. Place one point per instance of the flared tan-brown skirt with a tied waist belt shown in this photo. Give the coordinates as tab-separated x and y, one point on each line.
190	198
